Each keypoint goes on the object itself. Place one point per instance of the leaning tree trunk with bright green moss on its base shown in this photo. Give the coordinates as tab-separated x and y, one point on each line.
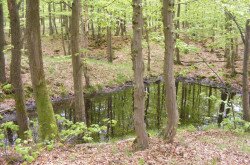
46	118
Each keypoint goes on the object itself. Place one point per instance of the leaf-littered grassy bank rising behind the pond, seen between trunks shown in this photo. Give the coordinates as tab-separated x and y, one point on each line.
58	68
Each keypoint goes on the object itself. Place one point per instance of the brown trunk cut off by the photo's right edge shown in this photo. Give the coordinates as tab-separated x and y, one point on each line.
246	108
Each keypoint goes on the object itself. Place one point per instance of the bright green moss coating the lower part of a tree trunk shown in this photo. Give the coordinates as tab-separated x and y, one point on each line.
47	124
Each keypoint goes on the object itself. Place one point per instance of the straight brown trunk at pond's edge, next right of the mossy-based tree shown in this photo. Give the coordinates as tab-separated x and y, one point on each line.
76	62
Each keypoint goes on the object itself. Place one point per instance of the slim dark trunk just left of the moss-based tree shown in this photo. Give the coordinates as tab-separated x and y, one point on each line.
15	70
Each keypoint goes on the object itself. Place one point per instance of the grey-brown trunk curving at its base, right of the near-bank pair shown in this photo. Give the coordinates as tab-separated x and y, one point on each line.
169	80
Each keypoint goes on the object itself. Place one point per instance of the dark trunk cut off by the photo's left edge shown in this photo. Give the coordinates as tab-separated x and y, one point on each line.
2	41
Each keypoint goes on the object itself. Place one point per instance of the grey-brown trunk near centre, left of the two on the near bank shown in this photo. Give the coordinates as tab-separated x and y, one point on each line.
141	141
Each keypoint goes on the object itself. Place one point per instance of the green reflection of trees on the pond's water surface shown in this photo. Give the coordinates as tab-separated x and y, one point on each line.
197	105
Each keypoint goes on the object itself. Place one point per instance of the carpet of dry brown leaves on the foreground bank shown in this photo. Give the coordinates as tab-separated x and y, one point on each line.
213	147
